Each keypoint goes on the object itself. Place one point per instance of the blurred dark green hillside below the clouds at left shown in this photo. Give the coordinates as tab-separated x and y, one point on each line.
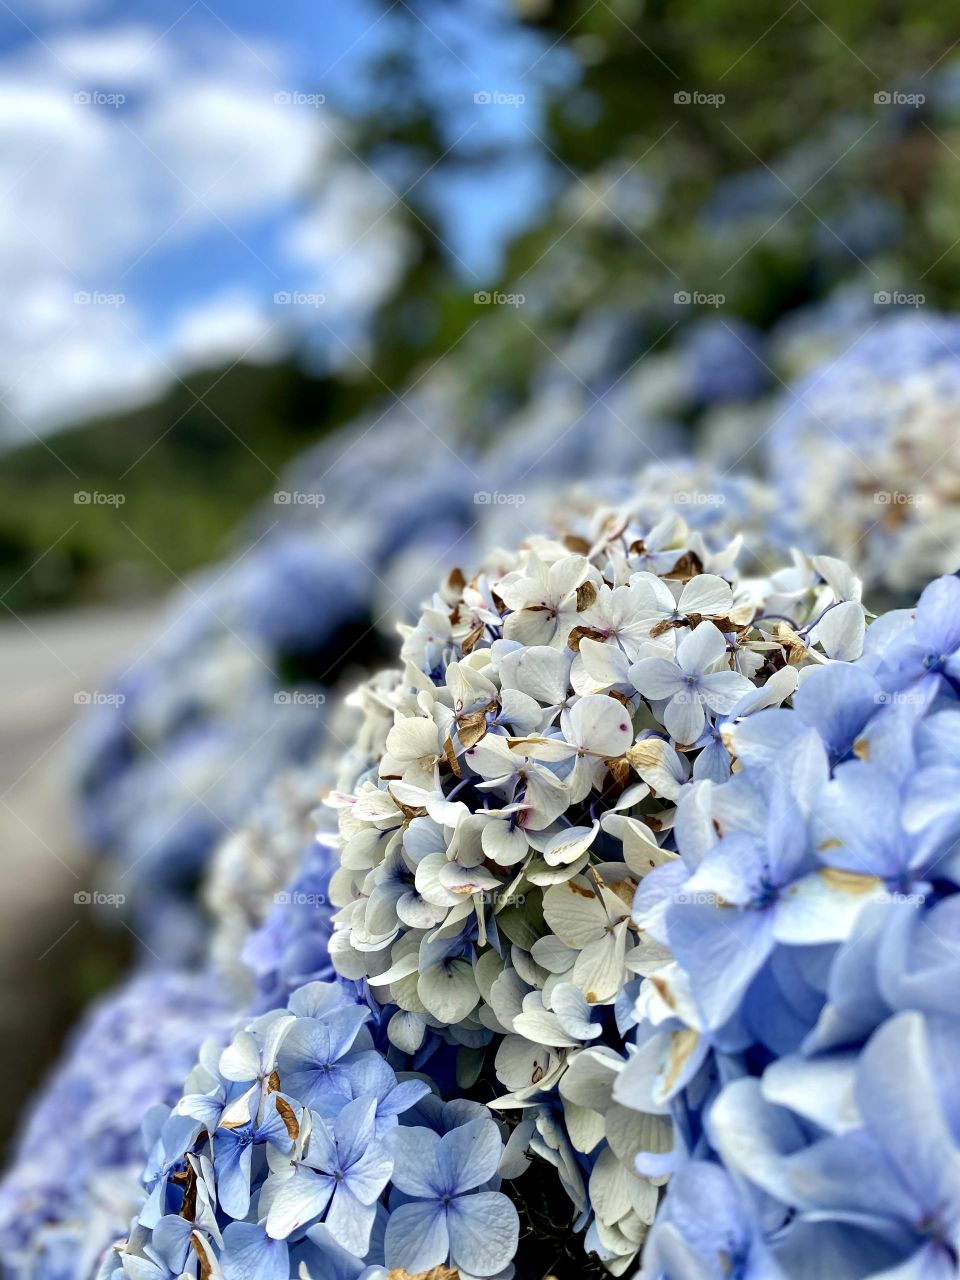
166	483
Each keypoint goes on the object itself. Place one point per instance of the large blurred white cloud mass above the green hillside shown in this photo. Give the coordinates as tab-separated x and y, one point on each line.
125	157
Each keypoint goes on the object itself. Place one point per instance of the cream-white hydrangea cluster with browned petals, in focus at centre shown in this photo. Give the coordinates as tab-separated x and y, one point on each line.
552	714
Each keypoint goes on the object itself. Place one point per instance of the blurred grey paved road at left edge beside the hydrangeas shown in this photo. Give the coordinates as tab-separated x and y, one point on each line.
44	936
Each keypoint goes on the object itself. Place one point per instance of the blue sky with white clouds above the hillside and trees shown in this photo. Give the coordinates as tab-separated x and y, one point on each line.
171	173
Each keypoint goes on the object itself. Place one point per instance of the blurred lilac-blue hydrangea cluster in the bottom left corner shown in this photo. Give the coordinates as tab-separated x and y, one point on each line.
75	1177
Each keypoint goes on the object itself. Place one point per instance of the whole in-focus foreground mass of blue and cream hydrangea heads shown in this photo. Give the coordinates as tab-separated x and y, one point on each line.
643	890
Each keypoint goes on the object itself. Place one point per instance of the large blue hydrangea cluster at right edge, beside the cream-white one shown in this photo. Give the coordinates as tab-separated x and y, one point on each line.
802	1035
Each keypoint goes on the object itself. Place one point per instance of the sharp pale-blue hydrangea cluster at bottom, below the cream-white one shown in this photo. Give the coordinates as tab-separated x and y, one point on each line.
299	1151
